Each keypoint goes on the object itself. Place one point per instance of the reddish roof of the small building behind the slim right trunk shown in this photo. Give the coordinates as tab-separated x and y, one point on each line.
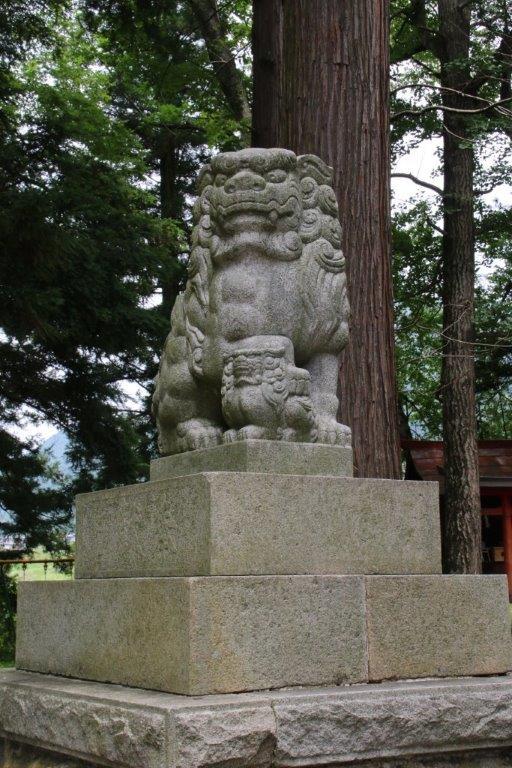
495	460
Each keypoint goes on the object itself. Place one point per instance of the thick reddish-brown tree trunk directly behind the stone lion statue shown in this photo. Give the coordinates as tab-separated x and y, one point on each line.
334	103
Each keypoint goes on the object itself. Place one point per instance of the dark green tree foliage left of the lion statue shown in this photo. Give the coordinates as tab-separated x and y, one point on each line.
82	253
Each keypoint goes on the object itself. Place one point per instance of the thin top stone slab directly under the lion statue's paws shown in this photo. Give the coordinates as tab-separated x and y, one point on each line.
272	456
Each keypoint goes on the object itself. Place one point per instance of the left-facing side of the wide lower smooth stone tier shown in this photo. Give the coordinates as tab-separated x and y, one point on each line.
129	631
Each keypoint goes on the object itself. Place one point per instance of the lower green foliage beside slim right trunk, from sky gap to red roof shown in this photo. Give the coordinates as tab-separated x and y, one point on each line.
418	320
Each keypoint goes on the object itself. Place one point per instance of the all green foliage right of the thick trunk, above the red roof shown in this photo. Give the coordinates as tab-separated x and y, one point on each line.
417	231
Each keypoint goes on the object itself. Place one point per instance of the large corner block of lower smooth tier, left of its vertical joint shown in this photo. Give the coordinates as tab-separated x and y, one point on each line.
196	635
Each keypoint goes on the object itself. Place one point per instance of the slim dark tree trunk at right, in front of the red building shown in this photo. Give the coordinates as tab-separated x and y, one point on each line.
462	523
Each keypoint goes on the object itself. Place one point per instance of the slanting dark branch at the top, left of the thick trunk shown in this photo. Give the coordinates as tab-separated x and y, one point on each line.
222	58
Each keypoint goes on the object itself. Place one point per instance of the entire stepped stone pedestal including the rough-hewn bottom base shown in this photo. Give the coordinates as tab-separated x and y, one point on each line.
208	583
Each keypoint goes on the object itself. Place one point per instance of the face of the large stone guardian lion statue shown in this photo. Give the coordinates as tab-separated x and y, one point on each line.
255	190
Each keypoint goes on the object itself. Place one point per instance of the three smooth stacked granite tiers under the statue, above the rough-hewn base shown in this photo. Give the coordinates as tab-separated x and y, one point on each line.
219	582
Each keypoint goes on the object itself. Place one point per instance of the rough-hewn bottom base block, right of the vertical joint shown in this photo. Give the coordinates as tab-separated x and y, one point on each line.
382	722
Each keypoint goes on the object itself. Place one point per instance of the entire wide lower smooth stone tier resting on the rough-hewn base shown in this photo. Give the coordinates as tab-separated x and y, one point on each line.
199	635
